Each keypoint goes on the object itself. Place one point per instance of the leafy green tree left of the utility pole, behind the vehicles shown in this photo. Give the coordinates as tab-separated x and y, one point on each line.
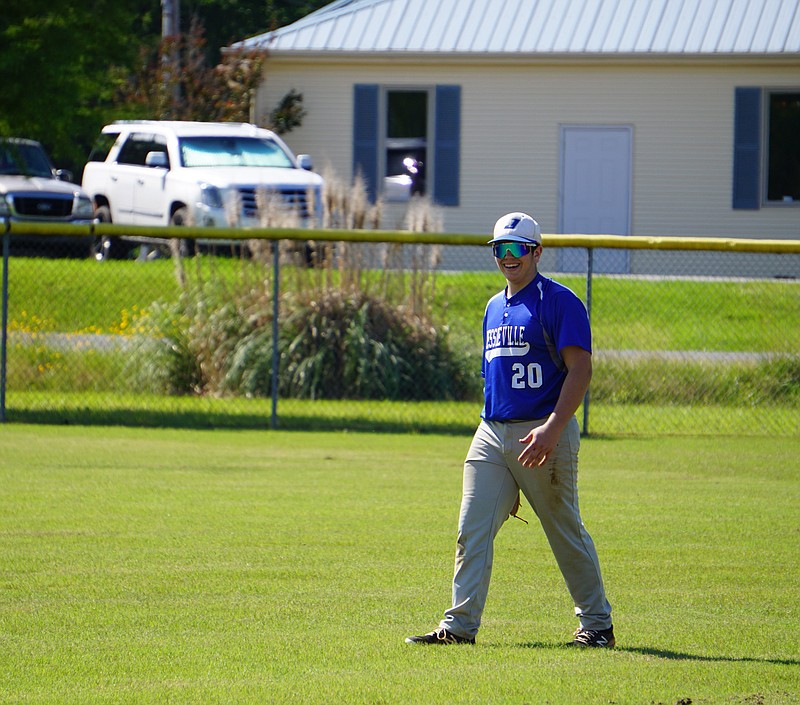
54	67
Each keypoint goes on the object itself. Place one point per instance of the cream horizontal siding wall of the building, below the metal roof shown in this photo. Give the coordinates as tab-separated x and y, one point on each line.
682	118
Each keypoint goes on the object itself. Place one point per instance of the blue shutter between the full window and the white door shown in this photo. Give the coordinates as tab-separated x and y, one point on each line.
447	146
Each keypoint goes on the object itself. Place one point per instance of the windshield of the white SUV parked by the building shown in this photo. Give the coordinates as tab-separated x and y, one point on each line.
232	151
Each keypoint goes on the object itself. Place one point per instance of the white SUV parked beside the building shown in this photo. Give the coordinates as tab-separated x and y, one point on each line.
196	173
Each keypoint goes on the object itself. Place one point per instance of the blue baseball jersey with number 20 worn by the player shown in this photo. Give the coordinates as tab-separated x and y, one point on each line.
522	367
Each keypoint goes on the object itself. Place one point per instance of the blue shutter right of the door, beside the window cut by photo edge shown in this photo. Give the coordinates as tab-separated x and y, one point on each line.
747	148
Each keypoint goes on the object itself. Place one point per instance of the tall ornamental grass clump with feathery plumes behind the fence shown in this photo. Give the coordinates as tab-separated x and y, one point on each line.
356	320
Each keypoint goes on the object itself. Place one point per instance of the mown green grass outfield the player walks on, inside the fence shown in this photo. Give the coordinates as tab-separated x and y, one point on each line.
198	567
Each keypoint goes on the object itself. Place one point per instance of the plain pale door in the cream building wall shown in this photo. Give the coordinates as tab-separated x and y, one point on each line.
595	192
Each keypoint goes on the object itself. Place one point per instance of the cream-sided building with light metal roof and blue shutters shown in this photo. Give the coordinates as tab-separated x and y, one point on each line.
631	117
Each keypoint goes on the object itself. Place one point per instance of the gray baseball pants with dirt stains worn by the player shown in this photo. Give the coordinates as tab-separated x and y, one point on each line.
492	479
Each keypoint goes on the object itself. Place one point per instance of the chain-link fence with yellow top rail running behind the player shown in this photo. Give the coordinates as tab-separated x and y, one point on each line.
336	334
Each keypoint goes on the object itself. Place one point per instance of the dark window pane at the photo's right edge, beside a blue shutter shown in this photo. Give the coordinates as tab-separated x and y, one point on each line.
784	147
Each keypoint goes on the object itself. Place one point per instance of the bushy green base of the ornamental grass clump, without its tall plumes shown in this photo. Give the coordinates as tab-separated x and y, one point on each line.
334	343
